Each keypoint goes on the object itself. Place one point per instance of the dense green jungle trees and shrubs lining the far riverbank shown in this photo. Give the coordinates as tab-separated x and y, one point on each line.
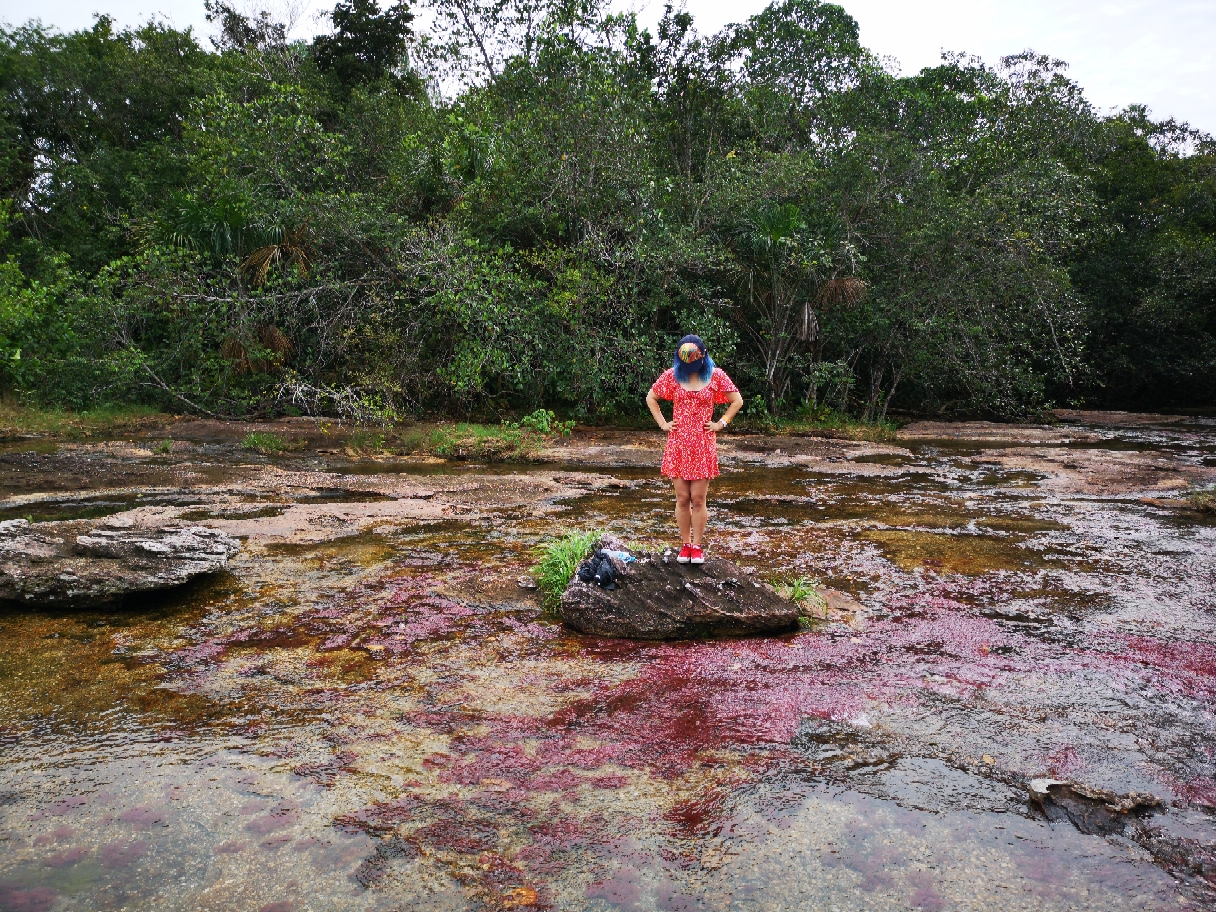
526	204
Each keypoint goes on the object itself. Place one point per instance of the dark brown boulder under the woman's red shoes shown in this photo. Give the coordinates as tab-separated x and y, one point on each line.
658	599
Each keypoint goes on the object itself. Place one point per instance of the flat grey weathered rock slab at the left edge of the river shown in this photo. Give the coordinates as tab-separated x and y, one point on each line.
89	562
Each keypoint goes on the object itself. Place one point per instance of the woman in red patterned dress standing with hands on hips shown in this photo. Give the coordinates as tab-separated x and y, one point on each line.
695	386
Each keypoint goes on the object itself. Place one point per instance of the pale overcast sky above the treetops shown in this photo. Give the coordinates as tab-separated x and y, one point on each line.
1159	53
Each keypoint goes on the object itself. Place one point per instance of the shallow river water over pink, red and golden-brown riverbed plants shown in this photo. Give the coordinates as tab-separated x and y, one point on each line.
378	723
